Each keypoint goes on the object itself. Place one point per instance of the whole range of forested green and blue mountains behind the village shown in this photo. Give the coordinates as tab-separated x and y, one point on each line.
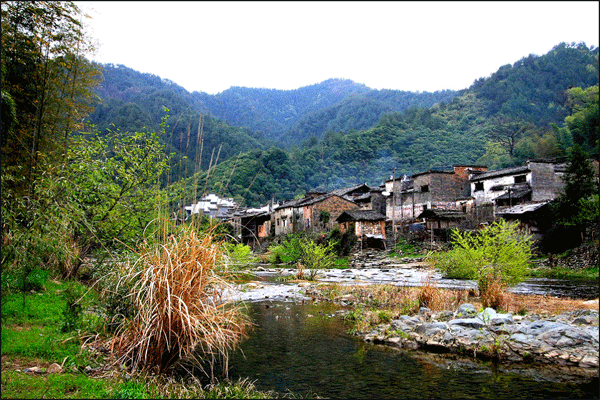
344	133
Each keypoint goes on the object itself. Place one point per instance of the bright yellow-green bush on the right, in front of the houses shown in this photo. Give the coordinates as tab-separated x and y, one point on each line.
496	253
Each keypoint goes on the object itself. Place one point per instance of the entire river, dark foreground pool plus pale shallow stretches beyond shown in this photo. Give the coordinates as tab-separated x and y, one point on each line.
304	347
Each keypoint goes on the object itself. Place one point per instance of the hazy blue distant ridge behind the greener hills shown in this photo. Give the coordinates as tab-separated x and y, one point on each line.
283	116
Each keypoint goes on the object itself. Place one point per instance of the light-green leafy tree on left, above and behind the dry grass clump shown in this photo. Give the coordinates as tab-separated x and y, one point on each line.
114	183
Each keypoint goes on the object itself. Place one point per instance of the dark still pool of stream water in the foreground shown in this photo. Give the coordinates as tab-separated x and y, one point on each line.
304	348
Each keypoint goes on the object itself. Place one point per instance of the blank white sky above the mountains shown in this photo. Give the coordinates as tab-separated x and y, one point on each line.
412	46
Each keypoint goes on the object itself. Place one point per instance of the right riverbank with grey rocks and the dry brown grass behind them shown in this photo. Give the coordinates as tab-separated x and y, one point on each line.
540	329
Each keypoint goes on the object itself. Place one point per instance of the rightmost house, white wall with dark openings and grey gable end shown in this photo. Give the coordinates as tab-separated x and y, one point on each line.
536	181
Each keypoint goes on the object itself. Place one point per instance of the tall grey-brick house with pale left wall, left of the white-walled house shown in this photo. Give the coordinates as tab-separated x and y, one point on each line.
429	190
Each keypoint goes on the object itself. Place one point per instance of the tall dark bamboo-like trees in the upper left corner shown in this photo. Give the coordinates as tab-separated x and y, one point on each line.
47	76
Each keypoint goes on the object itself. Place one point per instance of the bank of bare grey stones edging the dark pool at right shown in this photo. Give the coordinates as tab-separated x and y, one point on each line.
569	339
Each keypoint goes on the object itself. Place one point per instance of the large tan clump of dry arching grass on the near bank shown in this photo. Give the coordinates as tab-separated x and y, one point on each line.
179	311
